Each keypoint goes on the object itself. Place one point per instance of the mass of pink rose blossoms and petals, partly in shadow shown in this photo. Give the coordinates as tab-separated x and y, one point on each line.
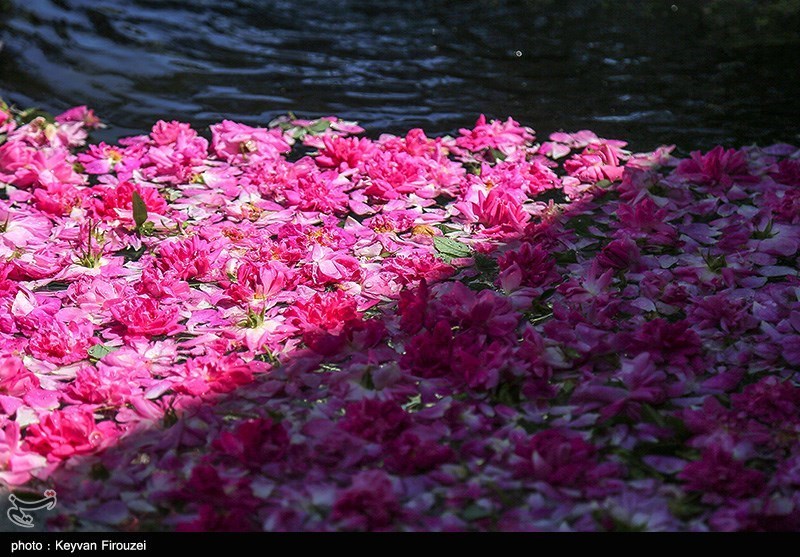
291	328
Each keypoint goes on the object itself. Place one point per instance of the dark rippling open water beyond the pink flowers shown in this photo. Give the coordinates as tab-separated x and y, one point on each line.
693	73
